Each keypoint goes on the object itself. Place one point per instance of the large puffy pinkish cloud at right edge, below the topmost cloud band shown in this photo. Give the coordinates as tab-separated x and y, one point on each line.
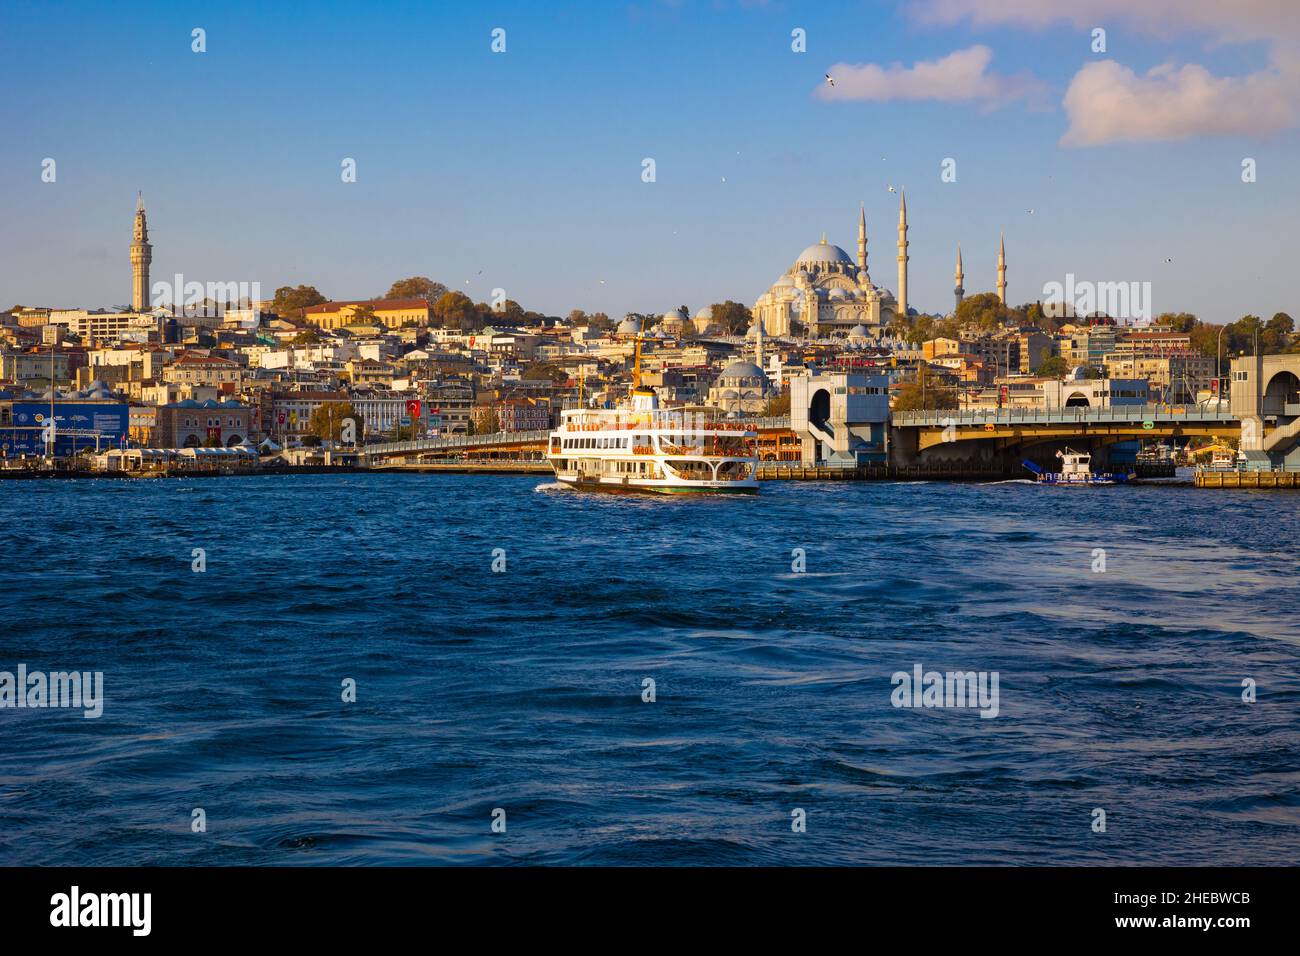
1110	103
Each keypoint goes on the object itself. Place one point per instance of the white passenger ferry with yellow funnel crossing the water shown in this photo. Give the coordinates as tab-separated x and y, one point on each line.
645	448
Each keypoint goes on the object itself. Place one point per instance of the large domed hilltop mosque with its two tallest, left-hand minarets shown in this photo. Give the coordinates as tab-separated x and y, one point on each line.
826	291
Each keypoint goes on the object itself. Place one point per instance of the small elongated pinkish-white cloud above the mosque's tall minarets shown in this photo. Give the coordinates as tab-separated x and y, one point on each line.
960	77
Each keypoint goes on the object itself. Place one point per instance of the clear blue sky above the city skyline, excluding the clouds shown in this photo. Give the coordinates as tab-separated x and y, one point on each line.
522	171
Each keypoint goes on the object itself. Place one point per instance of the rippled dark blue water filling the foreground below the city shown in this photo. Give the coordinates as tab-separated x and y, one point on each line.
522	690
